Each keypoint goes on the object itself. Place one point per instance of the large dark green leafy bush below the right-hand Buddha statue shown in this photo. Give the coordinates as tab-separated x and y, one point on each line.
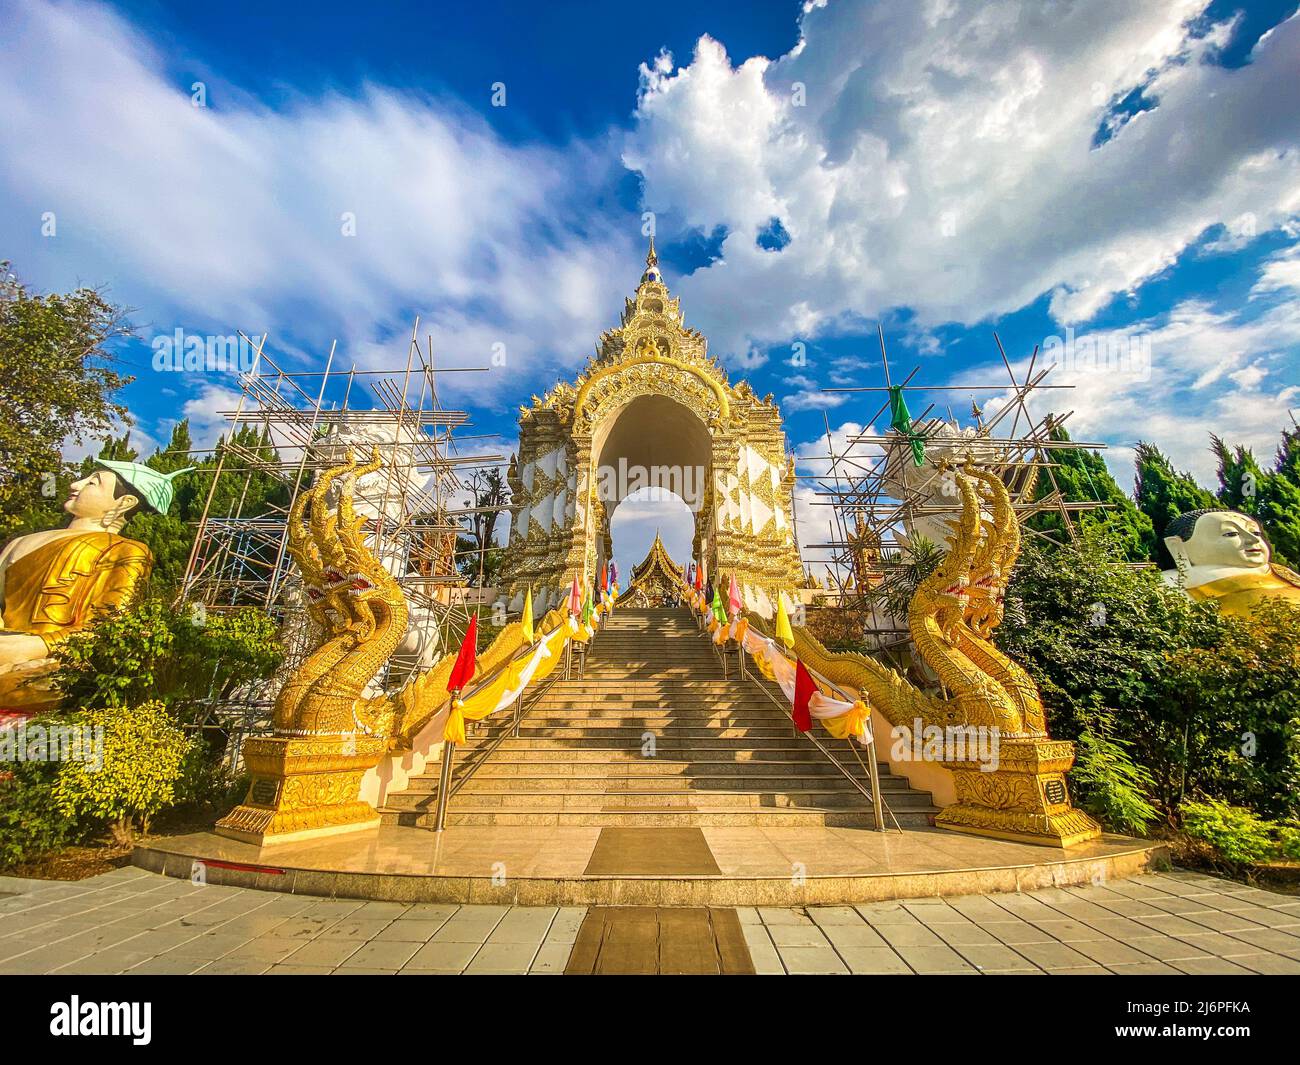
1207	704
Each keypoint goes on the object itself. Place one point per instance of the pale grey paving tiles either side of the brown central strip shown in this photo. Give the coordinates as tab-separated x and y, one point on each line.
131	921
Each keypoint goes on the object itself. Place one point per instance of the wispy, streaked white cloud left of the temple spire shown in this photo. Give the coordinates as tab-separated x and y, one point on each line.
232	217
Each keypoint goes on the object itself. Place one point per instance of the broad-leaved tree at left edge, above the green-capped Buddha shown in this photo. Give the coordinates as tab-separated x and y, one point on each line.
58	384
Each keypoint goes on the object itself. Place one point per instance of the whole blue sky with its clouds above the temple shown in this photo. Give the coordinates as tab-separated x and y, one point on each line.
948	170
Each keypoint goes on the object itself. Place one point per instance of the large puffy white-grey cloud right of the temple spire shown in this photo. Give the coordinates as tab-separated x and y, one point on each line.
944	159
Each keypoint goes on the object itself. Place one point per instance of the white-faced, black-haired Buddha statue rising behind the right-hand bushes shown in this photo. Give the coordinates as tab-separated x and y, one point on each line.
1224	556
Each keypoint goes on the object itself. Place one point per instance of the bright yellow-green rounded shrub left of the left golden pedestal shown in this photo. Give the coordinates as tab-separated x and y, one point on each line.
145	755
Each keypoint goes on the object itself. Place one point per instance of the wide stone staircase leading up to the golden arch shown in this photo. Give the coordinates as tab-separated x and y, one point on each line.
655	735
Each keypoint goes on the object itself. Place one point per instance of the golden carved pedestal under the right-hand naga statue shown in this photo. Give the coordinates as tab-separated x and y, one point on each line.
1025	799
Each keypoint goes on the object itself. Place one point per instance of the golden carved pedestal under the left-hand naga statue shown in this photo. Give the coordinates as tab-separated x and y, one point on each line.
302	789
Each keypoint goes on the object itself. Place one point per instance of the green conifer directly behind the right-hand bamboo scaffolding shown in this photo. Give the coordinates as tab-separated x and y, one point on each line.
1082	477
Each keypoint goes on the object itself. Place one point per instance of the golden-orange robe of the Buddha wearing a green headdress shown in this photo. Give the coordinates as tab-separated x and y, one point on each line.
57	591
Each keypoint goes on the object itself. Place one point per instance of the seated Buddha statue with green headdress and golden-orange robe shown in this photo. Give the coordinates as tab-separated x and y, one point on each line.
54	583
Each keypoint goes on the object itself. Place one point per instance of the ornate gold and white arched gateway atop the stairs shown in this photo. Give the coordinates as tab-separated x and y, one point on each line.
652	409
